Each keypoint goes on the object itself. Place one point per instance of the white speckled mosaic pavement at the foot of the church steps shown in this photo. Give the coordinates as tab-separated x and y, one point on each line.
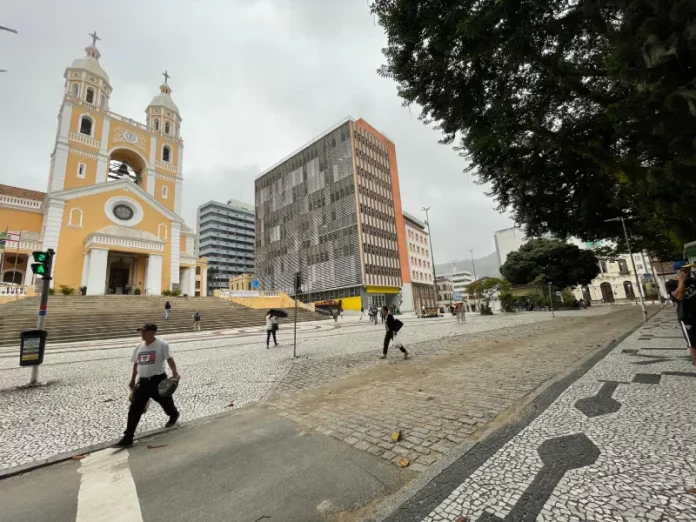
84	397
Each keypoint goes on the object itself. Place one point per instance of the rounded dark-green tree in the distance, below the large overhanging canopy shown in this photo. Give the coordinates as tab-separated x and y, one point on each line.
543	261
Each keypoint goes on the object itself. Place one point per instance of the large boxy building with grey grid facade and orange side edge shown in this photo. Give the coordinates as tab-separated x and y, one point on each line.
332	211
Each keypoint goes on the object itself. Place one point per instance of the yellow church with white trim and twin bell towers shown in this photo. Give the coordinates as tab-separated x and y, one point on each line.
112	207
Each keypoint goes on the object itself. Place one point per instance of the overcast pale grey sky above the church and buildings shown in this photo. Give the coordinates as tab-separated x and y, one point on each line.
254	80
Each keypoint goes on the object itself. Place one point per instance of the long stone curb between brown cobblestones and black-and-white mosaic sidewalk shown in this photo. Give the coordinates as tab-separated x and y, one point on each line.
528	410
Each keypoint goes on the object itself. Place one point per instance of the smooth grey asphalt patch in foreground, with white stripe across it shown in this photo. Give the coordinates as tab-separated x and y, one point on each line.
250	466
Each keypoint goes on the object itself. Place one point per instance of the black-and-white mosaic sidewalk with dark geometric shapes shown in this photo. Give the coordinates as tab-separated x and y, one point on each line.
619	445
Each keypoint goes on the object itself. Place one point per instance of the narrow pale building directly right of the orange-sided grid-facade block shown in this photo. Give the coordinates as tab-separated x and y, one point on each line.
420	292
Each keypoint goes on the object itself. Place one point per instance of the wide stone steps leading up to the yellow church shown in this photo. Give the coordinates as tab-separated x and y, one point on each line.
85	318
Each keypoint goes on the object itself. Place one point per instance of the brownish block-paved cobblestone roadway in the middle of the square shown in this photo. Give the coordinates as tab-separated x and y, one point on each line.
447	393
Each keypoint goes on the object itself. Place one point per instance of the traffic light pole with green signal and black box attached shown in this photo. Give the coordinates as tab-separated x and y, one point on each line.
33	340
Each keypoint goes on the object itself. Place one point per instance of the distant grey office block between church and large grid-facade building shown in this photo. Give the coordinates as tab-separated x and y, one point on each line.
226	236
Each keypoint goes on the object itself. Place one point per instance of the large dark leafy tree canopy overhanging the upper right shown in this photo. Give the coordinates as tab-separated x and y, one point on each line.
575	111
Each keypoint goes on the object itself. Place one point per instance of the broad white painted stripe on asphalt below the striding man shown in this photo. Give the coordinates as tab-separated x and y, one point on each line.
107	491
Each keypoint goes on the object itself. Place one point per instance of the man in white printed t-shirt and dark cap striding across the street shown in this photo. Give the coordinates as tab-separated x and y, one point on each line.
148	365
